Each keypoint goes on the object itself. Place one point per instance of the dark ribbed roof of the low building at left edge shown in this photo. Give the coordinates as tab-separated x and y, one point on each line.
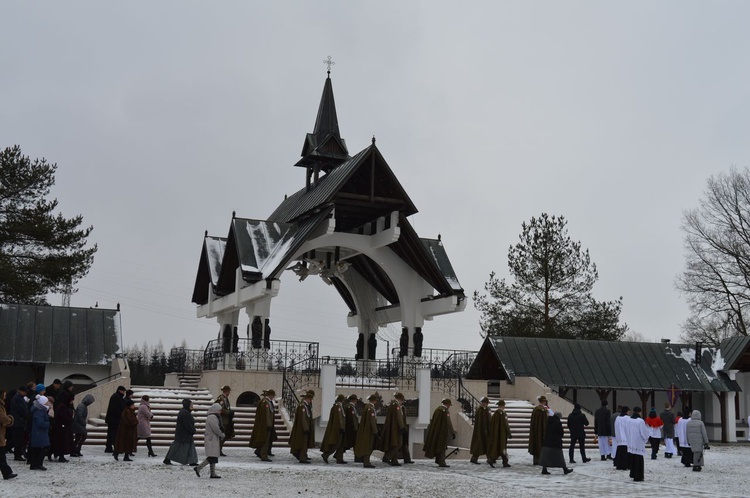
55	334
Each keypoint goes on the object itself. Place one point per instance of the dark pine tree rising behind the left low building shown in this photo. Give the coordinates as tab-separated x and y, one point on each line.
40	251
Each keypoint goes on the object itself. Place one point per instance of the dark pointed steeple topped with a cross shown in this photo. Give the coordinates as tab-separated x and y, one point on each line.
324	149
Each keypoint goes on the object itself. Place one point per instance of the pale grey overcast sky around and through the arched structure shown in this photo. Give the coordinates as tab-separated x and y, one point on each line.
164	117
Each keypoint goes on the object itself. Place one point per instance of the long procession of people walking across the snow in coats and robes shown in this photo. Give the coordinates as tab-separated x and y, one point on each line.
37	427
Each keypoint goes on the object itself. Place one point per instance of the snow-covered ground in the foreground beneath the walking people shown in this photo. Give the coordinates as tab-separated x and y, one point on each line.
727	473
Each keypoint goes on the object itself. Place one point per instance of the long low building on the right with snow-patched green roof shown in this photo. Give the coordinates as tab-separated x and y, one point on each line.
713	380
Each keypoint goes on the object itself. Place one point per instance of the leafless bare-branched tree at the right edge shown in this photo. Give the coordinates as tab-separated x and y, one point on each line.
716	278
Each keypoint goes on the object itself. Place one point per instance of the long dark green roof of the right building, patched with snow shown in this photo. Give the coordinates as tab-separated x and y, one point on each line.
603	364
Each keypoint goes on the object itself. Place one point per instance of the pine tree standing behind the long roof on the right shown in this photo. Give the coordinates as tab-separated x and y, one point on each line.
551	292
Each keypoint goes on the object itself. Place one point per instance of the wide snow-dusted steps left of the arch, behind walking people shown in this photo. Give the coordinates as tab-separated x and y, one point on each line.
166	402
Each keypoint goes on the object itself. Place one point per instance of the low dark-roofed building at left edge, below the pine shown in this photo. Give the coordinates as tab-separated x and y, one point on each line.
43	343
